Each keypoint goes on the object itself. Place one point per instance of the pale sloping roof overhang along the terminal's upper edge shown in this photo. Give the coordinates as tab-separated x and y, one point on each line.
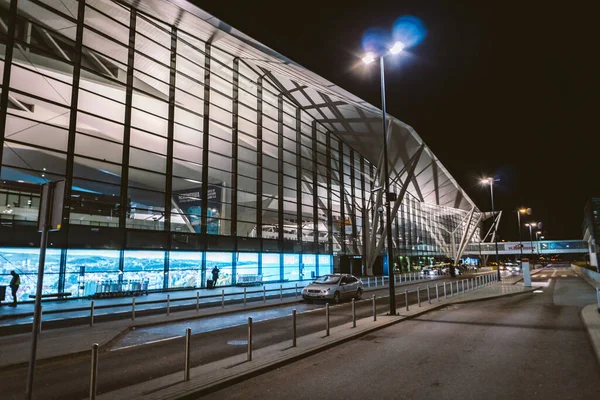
351	119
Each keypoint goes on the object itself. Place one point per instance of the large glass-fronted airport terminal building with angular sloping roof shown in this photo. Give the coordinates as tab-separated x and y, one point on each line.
186	145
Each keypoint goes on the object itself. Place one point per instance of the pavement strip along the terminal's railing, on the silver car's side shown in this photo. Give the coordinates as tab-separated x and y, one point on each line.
67	342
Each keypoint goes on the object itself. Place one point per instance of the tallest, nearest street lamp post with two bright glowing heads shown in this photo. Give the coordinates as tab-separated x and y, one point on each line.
397	48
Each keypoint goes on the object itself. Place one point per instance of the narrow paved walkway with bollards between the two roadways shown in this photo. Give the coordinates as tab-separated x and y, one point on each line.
212	376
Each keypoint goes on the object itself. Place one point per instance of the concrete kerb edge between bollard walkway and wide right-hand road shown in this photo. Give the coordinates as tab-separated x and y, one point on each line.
242	376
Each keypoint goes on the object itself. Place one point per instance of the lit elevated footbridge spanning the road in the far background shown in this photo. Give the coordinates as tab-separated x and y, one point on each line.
549	247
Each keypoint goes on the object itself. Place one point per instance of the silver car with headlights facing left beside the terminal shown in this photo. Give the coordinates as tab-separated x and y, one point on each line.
333	287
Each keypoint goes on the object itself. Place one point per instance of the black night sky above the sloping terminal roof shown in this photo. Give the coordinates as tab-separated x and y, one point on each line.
504	88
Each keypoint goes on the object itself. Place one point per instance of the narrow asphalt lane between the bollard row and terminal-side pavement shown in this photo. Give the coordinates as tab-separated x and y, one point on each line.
162	351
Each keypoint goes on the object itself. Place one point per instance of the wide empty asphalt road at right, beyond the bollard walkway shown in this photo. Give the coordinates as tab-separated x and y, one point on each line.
527	346
